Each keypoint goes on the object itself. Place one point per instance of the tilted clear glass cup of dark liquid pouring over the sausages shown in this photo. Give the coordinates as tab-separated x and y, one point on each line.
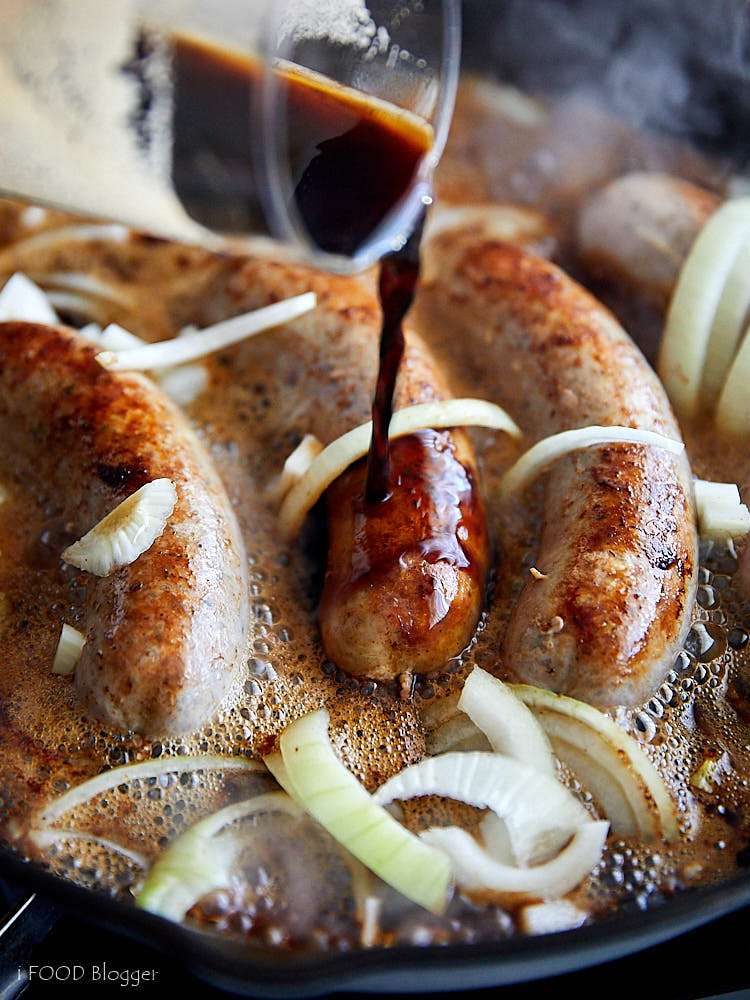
184	117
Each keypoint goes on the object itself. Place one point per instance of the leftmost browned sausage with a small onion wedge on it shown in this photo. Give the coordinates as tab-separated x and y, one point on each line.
165	634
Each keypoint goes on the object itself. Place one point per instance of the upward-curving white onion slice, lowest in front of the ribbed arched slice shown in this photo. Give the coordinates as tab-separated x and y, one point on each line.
476	871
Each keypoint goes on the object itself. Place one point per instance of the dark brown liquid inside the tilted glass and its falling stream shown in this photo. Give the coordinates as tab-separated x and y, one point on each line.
351	160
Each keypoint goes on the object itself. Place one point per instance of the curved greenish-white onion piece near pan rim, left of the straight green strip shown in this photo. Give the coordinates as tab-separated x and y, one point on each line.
200	861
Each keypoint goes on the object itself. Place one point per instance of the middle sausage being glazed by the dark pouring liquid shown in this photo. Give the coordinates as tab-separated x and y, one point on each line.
405	579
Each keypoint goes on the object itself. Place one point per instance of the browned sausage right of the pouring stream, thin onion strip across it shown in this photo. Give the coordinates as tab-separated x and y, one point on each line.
618	547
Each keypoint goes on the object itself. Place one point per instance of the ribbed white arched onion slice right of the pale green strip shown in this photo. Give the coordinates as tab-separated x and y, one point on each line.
540	813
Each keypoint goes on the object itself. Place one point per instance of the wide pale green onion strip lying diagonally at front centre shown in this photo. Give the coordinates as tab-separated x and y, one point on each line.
334	797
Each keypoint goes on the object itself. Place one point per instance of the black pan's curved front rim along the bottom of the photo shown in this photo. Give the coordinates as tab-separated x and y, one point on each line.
264	972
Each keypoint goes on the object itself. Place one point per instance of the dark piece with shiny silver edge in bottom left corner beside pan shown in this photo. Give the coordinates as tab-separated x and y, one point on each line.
22	929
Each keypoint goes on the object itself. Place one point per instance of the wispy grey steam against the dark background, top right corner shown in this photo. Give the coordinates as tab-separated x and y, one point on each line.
679	66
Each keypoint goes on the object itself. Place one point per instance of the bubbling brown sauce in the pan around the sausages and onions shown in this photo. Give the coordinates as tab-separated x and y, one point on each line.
250	419
